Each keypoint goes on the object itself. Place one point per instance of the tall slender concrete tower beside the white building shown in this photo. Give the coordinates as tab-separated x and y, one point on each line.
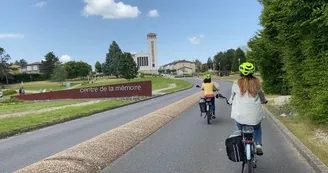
152	51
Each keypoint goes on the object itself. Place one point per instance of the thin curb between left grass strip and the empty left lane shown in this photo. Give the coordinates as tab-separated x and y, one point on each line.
48	124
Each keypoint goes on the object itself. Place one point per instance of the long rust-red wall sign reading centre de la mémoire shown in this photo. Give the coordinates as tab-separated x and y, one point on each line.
108	91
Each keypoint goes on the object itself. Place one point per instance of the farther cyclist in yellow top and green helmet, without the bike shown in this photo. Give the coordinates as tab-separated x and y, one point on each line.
209	87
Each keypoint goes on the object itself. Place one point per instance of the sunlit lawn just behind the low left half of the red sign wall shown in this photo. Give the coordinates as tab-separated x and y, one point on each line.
55	86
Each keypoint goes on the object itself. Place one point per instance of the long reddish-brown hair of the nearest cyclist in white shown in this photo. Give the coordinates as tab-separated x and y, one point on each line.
250	84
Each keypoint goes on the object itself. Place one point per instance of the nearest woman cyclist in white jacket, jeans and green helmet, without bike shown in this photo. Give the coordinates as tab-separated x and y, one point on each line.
246	99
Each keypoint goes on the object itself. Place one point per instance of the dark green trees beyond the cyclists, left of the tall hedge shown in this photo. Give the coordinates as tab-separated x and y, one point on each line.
223	62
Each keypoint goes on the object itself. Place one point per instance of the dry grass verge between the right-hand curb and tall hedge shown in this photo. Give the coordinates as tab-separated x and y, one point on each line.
315	137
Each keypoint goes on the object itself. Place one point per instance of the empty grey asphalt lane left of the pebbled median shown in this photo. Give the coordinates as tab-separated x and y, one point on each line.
25	149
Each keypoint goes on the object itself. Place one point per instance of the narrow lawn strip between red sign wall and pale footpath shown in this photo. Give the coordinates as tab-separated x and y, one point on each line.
30	106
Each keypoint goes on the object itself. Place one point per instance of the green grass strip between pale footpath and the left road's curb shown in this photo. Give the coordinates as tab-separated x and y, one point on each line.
16	125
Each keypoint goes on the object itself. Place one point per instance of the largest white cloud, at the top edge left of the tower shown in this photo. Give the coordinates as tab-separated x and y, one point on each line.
109	9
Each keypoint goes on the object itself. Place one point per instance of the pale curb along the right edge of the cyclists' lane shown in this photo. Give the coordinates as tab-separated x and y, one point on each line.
311	158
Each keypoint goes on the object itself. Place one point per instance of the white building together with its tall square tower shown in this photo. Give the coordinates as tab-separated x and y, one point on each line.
148	63
